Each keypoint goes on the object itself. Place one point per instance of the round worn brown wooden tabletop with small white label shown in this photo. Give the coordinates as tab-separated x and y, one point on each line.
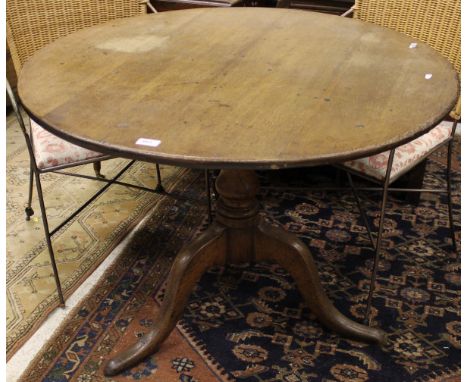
238	88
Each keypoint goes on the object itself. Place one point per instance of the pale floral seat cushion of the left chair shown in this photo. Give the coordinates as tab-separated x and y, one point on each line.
51	151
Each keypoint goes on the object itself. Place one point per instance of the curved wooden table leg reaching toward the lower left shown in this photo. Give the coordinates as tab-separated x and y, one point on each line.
190	264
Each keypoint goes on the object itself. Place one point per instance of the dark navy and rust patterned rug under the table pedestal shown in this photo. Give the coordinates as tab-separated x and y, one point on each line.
250	323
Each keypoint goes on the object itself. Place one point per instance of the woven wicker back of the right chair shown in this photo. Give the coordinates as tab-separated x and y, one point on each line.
435	22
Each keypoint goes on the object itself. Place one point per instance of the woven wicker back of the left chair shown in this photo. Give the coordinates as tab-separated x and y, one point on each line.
32	24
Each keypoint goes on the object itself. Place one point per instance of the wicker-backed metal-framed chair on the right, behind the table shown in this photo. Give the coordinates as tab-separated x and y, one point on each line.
437	23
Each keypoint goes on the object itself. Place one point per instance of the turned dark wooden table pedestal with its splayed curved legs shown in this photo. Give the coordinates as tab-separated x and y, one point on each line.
239	235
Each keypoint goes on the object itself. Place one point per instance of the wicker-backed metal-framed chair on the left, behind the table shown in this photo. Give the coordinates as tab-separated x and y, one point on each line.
32	24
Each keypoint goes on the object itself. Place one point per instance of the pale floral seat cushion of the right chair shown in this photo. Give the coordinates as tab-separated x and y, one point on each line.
406	156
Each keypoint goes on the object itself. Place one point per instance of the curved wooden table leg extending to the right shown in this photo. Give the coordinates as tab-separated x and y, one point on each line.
276	245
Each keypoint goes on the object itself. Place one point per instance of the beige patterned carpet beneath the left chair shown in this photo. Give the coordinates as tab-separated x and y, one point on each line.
79	247
